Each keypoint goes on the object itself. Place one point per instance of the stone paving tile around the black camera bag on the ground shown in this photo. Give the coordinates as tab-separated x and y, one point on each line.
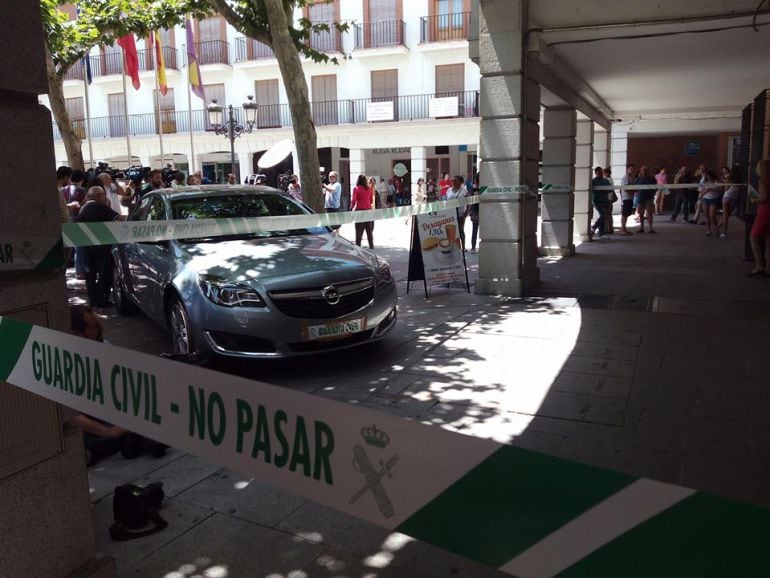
181	517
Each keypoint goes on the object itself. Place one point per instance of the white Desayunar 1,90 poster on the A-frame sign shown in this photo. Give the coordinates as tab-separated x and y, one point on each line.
442	251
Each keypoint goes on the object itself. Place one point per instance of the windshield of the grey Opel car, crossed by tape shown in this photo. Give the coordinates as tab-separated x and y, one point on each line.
241	206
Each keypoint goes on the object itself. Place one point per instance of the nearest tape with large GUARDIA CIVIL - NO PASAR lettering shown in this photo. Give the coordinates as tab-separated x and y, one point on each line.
528	514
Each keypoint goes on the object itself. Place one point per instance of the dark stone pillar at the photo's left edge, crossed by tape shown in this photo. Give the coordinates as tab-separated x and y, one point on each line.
45	511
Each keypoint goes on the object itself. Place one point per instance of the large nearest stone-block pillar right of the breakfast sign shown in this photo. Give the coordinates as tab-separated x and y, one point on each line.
509	149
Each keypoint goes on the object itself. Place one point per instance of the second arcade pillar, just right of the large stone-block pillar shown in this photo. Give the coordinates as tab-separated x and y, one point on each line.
559	127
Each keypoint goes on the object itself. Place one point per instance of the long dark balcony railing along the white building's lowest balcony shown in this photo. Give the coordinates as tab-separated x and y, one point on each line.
352	111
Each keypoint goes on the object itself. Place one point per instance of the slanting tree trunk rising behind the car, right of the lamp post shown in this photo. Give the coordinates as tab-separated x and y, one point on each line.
305	138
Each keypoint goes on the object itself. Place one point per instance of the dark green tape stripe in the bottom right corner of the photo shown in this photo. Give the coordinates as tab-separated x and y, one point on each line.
701	536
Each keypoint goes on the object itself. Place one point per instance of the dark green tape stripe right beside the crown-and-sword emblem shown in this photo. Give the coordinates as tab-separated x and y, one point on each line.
510	501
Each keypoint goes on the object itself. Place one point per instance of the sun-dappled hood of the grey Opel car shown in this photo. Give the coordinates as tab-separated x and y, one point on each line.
263	259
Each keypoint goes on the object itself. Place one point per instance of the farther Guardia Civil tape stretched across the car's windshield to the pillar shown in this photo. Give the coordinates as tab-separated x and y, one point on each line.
110	233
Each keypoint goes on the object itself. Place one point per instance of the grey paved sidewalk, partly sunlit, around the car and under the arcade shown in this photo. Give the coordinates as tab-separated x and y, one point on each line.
644	354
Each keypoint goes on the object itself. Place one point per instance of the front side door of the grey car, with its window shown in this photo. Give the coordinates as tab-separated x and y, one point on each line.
148	262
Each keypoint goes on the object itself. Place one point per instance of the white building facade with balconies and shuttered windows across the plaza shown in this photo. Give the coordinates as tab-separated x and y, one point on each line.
403	90
